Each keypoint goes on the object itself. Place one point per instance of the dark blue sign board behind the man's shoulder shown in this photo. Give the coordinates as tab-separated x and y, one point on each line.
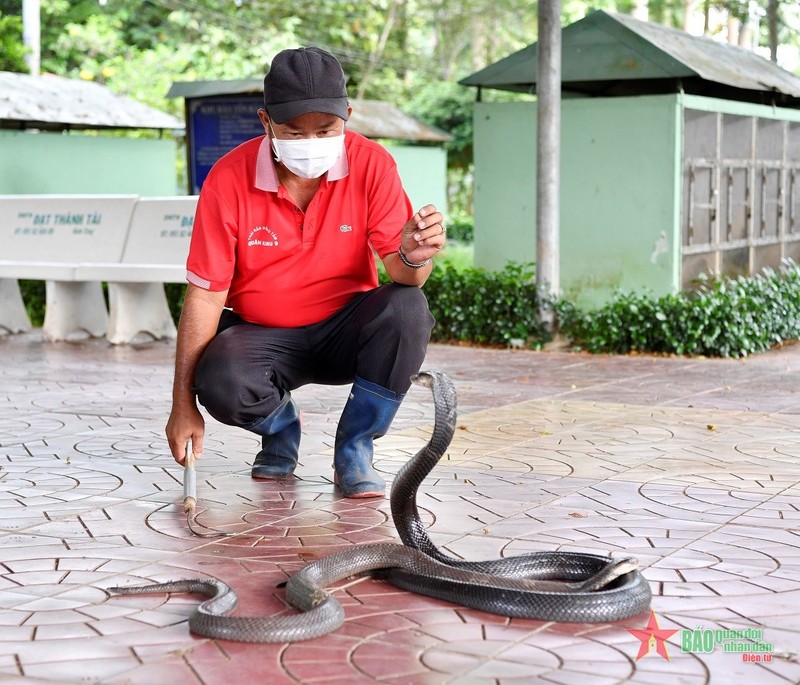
216	126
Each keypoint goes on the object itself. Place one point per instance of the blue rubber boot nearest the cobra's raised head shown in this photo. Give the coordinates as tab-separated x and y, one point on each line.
367	415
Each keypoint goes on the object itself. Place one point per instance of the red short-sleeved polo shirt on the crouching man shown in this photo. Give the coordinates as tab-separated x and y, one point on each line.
284	267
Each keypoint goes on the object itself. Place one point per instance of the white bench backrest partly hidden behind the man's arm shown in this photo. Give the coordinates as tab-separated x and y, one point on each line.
160	230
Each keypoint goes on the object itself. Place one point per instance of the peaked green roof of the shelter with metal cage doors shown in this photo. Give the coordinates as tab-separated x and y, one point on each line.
610	54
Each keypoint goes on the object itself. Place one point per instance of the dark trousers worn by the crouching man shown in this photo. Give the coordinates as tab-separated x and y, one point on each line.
380	335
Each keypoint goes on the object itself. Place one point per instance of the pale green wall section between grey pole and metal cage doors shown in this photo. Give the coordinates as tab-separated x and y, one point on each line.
619	196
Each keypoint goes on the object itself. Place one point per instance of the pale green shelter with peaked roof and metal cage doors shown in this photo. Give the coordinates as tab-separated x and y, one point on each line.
680	157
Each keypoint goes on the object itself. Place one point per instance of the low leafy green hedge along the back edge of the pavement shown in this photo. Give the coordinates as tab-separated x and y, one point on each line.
723	318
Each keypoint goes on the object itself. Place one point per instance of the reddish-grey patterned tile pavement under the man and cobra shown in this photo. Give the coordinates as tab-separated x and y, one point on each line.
692	465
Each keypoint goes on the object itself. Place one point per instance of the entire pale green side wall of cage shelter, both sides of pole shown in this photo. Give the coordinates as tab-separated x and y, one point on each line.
620	207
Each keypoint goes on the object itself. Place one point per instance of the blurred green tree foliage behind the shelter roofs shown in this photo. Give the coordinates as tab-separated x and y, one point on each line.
409	52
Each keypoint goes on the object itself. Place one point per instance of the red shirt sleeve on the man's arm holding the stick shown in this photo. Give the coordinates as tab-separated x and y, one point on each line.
212	250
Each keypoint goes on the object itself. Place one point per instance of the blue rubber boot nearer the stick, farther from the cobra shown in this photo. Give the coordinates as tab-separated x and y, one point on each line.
280	441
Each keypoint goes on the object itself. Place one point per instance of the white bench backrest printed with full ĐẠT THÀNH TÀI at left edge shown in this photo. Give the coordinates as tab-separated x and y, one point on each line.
64	228
